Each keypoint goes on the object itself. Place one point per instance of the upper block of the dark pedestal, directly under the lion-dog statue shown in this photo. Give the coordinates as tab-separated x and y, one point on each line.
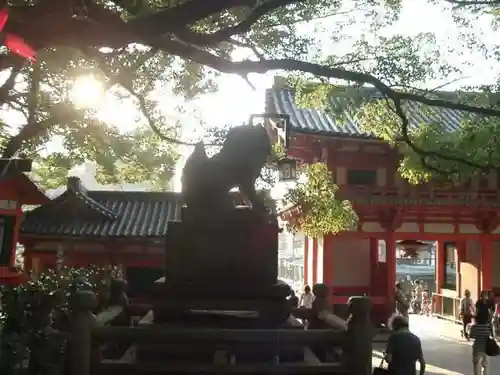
239	248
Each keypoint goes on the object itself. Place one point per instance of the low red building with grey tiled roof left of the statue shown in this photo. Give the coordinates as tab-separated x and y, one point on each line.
83	227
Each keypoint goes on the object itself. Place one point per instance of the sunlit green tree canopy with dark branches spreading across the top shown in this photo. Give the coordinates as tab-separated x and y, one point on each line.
131	45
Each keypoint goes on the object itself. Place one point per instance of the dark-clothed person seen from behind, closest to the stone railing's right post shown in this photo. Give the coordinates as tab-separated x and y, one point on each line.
404	349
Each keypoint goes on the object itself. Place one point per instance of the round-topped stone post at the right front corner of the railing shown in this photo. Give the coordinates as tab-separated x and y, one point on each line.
360	333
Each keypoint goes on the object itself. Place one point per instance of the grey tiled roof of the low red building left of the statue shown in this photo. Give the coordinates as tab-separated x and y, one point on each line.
80	212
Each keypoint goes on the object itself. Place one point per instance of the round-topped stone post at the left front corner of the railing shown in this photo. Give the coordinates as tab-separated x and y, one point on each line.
82	304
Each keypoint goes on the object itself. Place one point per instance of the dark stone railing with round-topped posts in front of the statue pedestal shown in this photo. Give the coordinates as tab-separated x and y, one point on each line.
329	344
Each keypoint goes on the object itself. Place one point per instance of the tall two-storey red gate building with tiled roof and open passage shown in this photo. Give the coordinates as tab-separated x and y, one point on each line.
464	221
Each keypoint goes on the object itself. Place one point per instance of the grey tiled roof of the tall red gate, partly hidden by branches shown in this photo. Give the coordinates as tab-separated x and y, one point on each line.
304	120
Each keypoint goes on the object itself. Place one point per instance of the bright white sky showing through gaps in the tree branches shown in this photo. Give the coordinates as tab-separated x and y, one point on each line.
236	100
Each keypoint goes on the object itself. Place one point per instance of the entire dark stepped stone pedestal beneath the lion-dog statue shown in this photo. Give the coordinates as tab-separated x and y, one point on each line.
219	262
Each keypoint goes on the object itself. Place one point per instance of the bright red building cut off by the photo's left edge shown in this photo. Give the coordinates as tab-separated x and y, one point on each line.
16	190
